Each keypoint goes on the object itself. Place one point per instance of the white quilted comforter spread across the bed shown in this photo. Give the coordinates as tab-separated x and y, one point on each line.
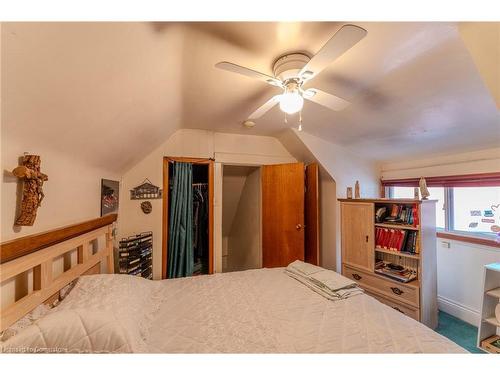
256	311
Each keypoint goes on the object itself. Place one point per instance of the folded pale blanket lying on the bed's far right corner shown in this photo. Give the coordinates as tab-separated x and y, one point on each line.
328	284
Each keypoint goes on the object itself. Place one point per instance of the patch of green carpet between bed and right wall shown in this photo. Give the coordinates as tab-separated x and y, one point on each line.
458	331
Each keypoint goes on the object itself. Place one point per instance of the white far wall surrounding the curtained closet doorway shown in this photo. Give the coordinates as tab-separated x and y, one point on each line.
225	148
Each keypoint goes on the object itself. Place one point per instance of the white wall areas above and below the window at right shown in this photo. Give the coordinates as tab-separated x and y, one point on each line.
459	267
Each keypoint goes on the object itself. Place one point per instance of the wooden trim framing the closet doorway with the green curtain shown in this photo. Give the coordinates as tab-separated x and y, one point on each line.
164	228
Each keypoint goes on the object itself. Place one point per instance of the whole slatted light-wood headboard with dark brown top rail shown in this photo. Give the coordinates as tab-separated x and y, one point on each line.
37	252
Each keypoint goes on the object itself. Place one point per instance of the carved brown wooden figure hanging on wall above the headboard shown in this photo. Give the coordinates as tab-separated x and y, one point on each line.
33	179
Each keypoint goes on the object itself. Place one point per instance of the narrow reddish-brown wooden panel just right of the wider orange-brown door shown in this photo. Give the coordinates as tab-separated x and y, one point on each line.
311	209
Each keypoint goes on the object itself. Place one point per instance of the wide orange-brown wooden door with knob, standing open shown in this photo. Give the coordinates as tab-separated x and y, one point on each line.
282	214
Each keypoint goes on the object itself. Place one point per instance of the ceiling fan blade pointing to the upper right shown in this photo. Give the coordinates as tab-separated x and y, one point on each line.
345	38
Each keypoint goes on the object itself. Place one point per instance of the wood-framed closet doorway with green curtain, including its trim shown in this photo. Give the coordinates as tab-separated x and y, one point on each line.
187	220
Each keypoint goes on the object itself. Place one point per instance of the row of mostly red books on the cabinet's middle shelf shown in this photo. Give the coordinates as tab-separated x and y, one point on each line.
397	240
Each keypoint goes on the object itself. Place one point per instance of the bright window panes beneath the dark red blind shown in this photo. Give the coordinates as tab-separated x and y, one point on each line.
463	209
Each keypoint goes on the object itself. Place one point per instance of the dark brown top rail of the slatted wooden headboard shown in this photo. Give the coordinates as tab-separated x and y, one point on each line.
19	247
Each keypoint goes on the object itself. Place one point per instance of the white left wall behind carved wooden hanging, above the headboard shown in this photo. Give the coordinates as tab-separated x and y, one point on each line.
72	193
